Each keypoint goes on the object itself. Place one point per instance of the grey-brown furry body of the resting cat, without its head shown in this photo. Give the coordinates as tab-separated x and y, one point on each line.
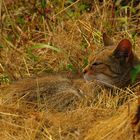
54	92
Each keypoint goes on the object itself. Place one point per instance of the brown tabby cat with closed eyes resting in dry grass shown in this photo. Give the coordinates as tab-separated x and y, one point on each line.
111	67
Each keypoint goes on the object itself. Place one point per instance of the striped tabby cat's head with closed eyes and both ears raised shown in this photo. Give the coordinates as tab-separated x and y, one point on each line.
112	65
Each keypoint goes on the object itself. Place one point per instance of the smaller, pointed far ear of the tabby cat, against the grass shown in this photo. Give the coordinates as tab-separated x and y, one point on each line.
107	40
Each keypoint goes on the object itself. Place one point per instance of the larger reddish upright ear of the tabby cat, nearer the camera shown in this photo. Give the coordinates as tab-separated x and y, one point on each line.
123	51
